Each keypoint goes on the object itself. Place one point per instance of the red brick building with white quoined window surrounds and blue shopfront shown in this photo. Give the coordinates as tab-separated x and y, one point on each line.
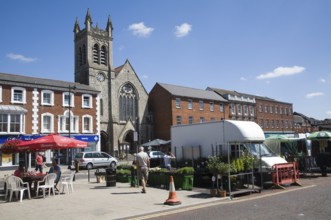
31	107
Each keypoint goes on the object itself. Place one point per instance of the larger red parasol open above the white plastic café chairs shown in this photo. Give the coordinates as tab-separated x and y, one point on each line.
52	141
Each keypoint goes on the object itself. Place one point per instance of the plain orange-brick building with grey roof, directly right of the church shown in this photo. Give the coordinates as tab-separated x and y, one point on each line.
174	105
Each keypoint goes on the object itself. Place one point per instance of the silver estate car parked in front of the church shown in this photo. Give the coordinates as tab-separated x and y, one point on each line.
94	159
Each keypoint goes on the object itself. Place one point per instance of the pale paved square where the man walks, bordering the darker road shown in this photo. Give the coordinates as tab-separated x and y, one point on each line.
97	201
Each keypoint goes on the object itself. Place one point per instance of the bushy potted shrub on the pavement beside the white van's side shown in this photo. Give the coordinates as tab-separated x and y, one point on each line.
218	169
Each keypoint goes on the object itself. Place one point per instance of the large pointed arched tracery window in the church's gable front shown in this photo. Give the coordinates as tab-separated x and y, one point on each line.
128	103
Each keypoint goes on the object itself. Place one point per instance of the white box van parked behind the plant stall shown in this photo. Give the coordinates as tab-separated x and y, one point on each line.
225	138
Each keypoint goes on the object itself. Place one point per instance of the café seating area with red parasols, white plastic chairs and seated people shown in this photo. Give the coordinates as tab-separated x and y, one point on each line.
30	182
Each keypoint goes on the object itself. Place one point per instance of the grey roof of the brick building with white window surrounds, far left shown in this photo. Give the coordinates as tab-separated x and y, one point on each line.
27	81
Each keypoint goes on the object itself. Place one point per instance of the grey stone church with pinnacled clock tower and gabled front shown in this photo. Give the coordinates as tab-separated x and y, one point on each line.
123	99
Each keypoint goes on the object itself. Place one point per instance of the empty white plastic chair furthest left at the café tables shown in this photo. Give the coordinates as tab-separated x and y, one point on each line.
16	184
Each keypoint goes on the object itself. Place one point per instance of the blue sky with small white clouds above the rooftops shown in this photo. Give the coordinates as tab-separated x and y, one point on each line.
275	48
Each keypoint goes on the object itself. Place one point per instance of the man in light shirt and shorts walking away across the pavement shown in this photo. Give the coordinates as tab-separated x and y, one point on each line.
143	164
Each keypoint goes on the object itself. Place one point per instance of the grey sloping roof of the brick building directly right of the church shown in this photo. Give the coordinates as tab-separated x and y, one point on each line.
192	92
